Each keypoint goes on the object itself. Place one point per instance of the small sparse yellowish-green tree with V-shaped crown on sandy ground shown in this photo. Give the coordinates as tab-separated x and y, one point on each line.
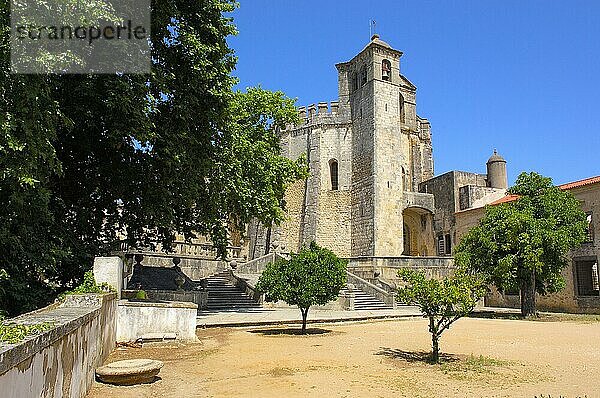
442	301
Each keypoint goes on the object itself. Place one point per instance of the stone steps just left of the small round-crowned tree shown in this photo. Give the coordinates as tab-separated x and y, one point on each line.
224	295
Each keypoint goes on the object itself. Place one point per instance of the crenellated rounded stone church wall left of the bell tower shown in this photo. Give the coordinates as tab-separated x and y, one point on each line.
314	211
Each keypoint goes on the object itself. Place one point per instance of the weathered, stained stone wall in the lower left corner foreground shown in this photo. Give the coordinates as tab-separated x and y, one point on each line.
60	362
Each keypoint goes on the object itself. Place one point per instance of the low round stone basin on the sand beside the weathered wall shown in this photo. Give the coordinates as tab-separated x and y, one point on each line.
129	372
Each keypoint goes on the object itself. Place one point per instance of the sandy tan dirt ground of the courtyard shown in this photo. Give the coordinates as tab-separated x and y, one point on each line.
376	359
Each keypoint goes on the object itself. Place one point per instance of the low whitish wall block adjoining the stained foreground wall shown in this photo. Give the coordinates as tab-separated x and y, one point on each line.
137	318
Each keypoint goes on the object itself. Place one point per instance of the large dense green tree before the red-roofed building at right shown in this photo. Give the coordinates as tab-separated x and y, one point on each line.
523	244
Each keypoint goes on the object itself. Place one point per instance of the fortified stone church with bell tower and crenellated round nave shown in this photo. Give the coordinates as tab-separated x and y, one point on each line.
371	190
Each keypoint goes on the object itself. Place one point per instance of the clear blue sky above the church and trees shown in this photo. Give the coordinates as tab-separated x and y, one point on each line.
519	76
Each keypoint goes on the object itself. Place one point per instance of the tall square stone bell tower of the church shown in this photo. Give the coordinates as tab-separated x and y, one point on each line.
391	147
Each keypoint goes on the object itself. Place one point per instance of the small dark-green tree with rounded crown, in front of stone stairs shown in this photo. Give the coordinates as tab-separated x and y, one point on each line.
314	276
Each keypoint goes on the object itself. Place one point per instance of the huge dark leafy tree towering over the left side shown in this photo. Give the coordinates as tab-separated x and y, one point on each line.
83	157
